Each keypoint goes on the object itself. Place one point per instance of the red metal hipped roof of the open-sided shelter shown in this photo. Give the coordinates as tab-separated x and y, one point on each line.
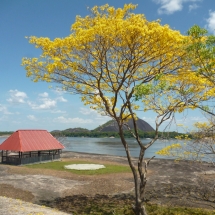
31	140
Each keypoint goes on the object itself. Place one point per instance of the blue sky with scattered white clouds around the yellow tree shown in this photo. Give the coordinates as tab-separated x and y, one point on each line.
28	105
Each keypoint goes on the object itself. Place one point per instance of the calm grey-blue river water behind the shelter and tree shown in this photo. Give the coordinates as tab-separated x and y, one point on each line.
110	146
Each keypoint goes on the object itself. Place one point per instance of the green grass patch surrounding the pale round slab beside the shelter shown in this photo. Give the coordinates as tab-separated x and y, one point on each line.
59	165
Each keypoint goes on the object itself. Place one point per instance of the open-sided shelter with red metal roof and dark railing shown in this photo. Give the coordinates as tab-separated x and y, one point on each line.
30	146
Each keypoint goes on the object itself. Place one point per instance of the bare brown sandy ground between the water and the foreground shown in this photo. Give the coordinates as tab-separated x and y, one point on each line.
169	182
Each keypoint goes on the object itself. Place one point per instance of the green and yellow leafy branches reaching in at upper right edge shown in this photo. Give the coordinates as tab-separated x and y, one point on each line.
201	53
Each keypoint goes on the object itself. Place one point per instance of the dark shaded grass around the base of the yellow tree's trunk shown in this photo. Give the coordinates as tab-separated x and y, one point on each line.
118	205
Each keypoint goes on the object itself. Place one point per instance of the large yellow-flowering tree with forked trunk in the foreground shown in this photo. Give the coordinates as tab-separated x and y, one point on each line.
107	55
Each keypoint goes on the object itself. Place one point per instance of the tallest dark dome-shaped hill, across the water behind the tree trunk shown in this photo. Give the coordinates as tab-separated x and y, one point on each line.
112	126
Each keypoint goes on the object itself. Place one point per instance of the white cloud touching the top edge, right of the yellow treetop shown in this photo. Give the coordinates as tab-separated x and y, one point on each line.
171	6
